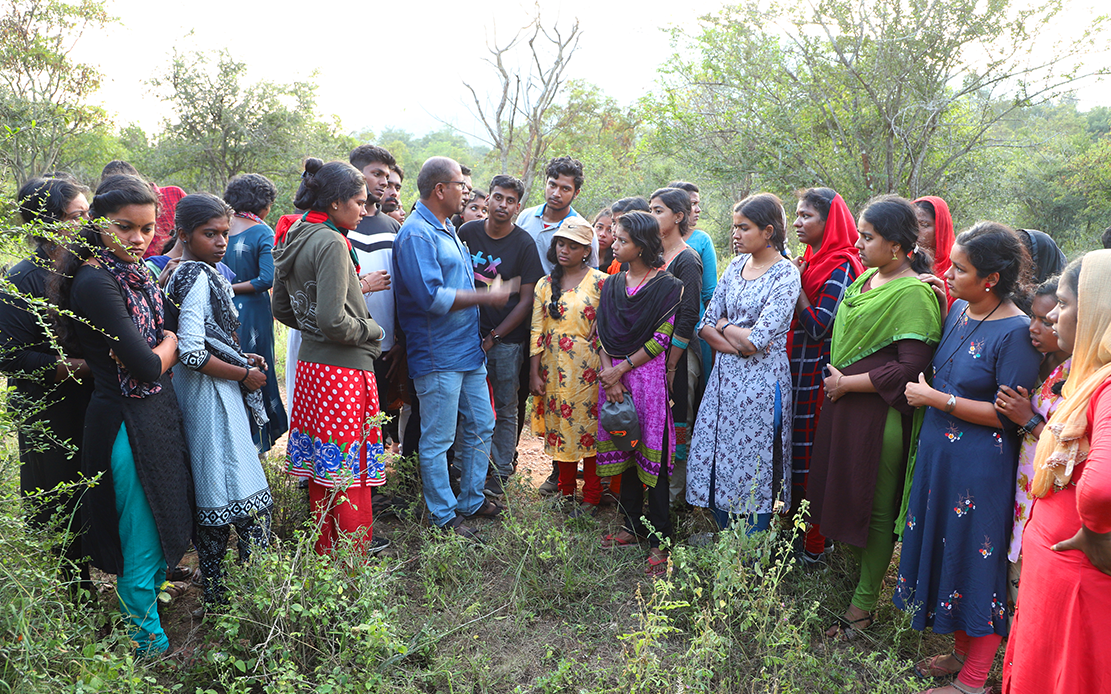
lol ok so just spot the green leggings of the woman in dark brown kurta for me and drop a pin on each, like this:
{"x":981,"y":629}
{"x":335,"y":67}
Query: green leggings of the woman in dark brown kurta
{"x":876,"y":557}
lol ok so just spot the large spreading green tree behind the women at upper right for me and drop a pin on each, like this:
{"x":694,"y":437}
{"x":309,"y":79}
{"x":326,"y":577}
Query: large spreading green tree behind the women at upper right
{"x":865,"y":96}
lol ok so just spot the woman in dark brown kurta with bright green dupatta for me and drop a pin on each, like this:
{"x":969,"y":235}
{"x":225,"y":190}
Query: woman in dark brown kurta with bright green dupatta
{"x":887,"y":327}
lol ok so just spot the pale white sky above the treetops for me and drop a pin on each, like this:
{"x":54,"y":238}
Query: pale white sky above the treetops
{"x":394,"y":65}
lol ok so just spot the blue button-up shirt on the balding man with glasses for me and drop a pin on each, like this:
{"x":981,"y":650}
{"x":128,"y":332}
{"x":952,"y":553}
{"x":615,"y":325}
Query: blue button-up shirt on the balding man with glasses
{"x":431,"y":266}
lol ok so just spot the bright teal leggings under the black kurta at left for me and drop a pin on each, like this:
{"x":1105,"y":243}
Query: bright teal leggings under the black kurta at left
{"x":144,"y":561}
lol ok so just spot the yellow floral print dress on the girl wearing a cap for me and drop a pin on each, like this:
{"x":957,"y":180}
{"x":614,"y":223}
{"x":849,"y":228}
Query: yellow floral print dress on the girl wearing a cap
{"x":569,"y":366}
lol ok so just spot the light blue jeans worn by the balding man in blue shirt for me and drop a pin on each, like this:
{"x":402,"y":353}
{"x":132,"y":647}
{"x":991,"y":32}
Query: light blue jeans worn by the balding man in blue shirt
{"x":447,"y":397}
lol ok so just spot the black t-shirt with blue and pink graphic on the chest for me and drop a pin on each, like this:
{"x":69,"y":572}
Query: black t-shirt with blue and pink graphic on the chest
{"x":513,"y":257}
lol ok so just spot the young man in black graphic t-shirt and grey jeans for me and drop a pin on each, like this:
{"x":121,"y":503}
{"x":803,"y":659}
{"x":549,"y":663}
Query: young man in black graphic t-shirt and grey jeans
{"x":504,"y":254}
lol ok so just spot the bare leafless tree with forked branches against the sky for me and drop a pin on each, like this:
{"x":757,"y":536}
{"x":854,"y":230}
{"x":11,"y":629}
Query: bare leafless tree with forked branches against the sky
{"x":517,"y":118}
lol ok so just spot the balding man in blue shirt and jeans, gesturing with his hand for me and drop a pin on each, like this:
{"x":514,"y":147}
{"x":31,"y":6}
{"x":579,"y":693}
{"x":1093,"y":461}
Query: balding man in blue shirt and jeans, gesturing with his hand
{"x":438,"y":313}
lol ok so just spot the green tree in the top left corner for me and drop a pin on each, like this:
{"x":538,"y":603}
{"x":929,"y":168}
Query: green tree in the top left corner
{"x":43,"y":89}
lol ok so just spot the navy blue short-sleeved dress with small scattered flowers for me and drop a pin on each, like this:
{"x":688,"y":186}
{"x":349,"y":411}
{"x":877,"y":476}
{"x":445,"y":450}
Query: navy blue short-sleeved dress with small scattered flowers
{"x":953,"y":571}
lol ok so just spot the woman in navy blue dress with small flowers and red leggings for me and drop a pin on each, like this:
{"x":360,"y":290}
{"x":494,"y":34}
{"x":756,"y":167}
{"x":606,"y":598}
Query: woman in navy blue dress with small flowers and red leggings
{"x":953,"y":574}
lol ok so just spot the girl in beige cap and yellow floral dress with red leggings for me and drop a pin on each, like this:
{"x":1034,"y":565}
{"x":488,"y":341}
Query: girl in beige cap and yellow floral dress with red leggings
{"x":565,"y":364}
